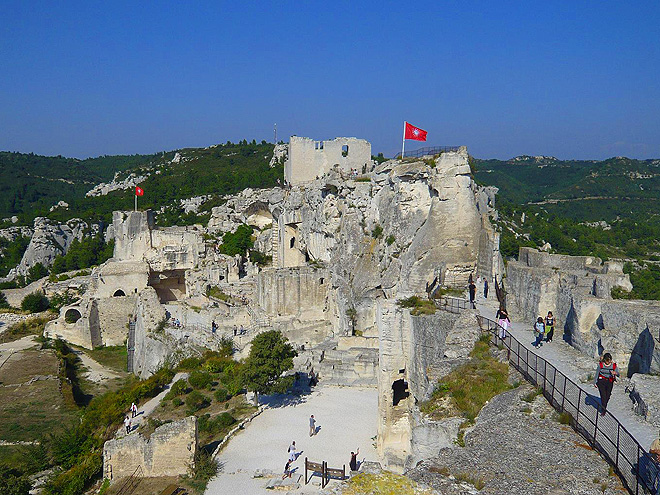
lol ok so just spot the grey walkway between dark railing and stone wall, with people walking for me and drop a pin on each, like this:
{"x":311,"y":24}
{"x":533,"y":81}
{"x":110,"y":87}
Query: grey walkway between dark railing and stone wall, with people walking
{"x":577,"y":367}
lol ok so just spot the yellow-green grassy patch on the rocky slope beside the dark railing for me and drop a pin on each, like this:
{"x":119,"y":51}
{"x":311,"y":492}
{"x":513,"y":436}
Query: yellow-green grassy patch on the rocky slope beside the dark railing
{"x":471,"y":385}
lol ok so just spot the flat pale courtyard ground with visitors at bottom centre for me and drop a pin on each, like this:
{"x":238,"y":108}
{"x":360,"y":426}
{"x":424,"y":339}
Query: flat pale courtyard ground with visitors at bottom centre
{"x":347,"y":417}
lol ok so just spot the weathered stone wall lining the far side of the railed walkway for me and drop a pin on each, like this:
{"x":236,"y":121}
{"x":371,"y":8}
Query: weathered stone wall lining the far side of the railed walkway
{"x":577,"y":291}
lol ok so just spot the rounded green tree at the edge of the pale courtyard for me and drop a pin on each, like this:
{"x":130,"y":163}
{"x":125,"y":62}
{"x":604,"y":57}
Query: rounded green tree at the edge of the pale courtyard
{"x":270,"y":356}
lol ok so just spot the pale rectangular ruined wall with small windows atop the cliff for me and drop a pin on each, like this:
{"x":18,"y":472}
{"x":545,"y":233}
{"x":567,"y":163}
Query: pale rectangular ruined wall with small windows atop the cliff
{"x":309,"y":159}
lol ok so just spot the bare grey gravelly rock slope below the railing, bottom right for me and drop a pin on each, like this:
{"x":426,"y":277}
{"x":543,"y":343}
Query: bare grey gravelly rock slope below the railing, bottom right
{"x":518,"y":448}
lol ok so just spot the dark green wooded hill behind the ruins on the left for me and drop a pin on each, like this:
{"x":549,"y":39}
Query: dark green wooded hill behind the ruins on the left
{"x":32,"y":184}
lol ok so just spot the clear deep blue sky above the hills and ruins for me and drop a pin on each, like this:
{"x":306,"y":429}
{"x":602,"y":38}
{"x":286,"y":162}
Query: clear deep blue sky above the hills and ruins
{"x":574,"y":79}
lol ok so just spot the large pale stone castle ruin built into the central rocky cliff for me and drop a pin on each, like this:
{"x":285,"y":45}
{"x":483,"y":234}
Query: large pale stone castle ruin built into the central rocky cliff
{"x":348,"y":238}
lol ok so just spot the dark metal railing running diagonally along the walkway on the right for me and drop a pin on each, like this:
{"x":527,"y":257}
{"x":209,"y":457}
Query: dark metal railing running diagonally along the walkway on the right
{"x":637,"y":469}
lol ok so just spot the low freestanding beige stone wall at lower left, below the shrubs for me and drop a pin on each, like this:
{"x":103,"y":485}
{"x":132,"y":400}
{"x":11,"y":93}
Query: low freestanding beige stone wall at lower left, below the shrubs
{"x":170,"y":451}
